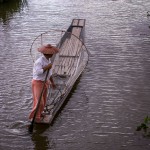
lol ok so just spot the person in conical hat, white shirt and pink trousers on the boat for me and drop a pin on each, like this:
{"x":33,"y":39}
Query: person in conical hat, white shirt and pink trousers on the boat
{"x":41,"y":66}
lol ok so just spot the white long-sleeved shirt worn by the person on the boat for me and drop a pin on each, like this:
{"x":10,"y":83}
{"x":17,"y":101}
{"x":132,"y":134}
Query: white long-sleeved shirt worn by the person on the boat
{"x":38,"y":72}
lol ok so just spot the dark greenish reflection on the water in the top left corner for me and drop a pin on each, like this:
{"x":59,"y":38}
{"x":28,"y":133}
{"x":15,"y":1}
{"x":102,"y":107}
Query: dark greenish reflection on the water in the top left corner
{"x":8,"y":8}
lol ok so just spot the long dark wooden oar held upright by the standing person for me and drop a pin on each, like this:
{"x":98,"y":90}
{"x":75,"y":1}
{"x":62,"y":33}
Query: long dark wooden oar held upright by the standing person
{"x":30,"y":129}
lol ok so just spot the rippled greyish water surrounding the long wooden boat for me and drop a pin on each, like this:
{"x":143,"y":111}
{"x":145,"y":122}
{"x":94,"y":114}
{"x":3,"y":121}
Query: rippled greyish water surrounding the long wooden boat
{"x":110,"y":98}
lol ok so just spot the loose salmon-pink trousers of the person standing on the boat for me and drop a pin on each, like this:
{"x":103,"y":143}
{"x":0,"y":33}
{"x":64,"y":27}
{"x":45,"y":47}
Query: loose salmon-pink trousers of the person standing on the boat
{"x":36,"y":92}
